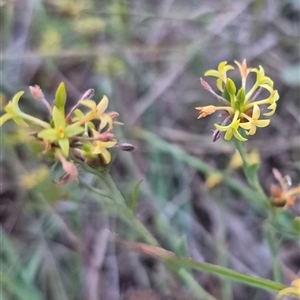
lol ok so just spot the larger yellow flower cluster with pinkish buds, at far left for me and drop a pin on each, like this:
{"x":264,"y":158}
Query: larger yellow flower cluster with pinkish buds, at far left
{"x":84,"y":132}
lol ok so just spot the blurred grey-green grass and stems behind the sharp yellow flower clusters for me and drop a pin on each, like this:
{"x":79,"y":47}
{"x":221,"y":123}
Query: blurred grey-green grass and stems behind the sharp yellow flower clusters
{"x":147,"y":57}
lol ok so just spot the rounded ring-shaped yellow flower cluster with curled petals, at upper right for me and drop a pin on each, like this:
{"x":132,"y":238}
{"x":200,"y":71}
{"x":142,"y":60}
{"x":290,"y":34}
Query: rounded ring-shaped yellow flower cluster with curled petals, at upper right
{"x":241,"y":108}
